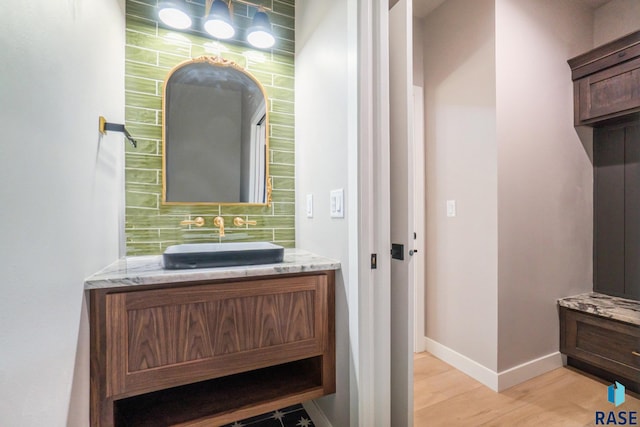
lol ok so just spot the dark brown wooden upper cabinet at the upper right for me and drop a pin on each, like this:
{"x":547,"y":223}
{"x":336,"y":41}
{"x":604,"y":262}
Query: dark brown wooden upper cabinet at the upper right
{"x":606,"y":82}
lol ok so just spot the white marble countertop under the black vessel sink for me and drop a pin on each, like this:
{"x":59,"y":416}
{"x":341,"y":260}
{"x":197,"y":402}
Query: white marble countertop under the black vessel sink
{"x":147,"y":270}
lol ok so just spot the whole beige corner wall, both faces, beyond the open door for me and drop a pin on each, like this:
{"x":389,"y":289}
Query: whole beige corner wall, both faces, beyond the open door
{"x":500,"y":140}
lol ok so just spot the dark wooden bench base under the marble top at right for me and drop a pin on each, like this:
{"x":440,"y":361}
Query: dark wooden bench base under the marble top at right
{"x":607,"y":347}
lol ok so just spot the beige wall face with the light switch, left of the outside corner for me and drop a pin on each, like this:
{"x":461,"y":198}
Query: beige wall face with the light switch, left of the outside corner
{"x":461,"y":164}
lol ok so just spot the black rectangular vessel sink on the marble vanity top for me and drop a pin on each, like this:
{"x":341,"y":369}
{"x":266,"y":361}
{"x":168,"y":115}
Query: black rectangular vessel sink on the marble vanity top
{"x":207,"y":255}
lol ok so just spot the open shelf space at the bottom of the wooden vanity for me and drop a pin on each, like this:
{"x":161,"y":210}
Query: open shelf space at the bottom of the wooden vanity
{"x":224,"y":400}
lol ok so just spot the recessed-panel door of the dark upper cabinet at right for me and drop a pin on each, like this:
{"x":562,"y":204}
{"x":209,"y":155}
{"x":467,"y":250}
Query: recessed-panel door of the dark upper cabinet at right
{"x":609,"y":93}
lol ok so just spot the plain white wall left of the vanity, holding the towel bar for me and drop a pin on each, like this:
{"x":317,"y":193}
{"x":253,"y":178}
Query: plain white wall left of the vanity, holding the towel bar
{"x":61,"y":190}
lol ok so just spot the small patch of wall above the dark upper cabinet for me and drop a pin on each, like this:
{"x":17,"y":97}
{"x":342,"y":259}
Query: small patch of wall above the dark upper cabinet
{"x":615,"y":19}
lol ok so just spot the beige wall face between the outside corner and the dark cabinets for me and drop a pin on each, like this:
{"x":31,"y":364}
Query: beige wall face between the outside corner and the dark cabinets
{"x":545,"y":180}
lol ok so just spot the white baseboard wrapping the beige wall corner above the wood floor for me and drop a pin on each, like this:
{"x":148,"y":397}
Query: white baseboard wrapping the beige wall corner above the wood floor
{"x":494,"y":380}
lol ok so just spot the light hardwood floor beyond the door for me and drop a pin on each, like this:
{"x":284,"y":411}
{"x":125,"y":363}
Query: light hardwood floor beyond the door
{"x":444,"y":396}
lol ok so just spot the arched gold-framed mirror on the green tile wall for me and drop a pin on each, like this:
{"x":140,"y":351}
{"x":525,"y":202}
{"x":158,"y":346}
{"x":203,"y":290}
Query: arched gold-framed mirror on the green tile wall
{"x":215,"y":140}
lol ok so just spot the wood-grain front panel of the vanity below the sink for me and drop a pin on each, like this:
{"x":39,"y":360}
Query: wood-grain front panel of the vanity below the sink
{"x":167,"y":337}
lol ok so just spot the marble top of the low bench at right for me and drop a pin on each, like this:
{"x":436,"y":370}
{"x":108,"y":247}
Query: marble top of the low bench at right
{"x":624,"y":310}
